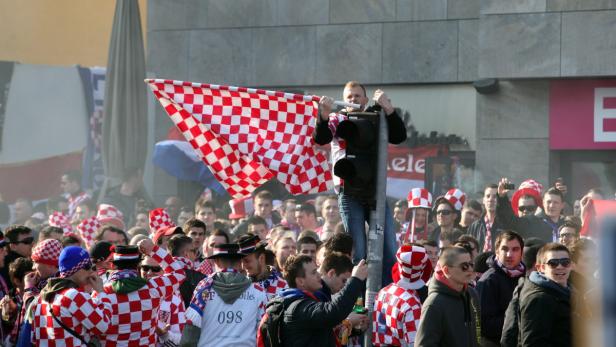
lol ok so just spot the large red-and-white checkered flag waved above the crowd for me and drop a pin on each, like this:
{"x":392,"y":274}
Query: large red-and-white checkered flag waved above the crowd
{"x":247,"y":136}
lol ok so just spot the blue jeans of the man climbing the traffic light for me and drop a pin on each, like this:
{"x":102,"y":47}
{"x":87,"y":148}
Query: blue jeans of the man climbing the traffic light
{"x":354,"y":216}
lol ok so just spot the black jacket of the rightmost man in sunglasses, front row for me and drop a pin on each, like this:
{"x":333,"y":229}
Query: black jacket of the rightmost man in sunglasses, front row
{"x":545,"y":313}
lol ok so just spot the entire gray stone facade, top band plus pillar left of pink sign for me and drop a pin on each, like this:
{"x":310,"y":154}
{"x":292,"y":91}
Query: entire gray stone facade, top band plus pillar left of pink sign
{"x":272,"y":43}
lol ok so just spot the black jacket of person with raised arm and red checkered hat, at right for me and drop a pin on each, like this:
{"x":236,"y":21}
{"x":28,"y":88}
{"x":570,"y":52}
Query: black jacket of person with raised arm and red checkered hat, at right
{"x":529,"y":226}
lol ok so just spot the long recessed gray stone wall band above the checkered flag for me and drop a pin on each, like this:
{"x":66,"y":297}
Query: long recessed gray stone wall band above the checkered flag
{"x":318,"y":42}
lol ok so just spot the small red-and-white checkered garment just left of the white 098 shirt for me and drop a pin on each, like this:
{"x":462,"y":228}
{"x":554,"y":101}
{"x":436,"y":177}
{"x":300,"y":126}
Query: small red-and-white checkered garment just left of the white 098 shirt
{"x":171,"y":312}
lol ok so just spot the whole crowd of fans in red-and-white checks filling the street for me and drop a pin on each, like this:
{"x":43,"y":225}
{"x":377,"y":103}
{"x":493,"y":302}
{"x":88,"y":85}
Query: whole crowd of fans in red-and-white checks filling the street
{"x":511,"y":269}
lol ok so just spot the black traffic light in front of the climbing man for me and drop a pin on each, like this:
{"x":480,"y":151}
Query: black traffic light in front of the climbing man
{"x":358,"y":168}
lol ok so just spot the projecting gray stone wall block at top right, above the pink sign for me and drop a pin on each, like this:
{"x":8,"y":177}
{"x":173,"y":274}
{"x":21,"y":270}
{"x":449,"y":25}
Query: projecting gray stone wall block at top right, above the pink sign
{"x":547,"y":38}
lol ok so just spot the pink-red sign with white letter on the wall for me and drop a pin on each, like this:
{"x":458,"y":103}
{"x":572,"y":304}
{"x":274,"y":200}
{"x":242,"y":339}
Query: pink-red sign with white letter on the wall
{"x":583,"y":114}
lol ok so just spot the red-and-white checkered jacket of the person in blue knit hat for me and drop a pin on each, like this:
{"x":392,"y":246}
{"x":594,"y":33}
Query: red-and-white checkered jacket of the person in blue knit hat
{"x":75,"y":308}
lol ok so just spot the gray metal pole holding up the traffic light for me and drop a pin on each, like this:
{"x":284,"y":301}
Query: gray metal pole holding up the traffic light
{"x":377,"y":228}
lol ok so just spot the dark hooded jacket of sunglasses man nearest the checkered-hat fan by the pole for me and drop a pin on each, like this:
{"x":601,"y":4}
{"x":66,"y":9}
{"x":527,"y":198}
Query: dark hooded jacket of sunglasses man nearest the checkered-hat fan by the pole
{"x":448,"y":318}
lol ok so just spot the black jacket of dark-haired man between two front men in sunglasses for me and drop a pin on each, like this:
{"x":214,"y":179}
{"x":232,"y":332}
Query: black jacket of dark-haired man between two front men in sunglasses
{"x":495,"y":289}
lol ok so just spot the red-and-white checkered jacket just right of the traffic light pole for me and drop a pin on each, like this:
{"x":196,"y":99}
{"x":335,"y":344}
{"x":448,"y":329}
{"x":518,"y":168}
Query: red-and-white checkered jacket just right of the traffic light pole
{"x":396,"y":316}
